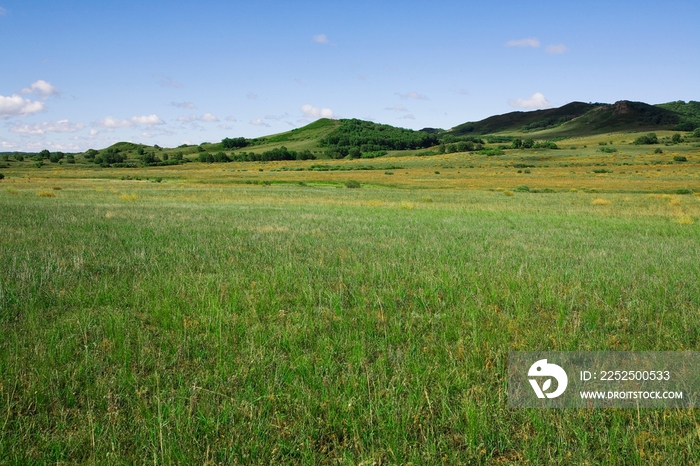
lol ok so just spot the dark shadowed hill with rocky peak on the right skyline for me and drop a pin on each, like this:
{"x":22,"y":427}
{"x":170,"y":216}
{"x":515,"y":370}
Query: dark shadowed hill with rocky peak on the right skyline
{"x":580,"y":119}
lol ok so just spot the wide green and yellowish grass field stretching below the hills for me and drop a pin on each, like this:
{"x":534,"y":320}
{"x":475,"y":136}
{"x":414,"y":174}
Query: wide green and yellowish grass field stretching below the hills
{"x":256,"y":313}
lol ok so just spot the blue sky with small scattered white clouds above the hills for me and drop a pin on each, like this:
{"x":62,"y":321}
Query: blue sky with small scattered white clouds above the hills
{"x":78,"y":75}
